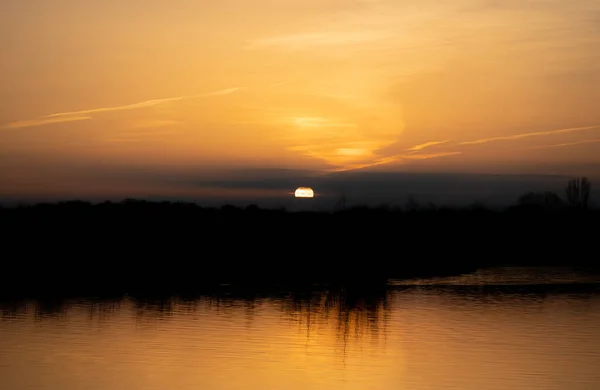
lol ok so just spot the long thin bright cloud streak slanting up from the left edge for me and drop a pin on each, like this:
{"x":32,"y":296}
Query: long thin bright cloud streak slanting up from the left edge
{"x":84,"y":114}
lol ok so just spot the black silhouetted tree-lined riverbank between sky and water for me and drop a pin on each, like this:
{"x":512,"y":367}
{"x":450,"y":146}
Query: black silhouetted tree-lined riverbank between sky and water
{"x":137,"y":246}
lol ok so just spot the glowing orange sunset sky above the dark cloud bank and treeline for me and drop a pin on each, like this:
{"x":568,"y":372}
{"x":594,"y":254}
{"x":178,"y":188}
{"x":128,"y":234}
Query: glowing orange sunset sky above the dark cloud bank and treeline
{"x":108,"y":98}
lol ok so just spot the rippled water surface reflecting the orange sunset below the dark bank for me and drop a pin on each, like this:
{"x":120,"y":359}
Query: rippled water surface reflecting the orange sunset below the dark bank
{"x":418,"y":336}
